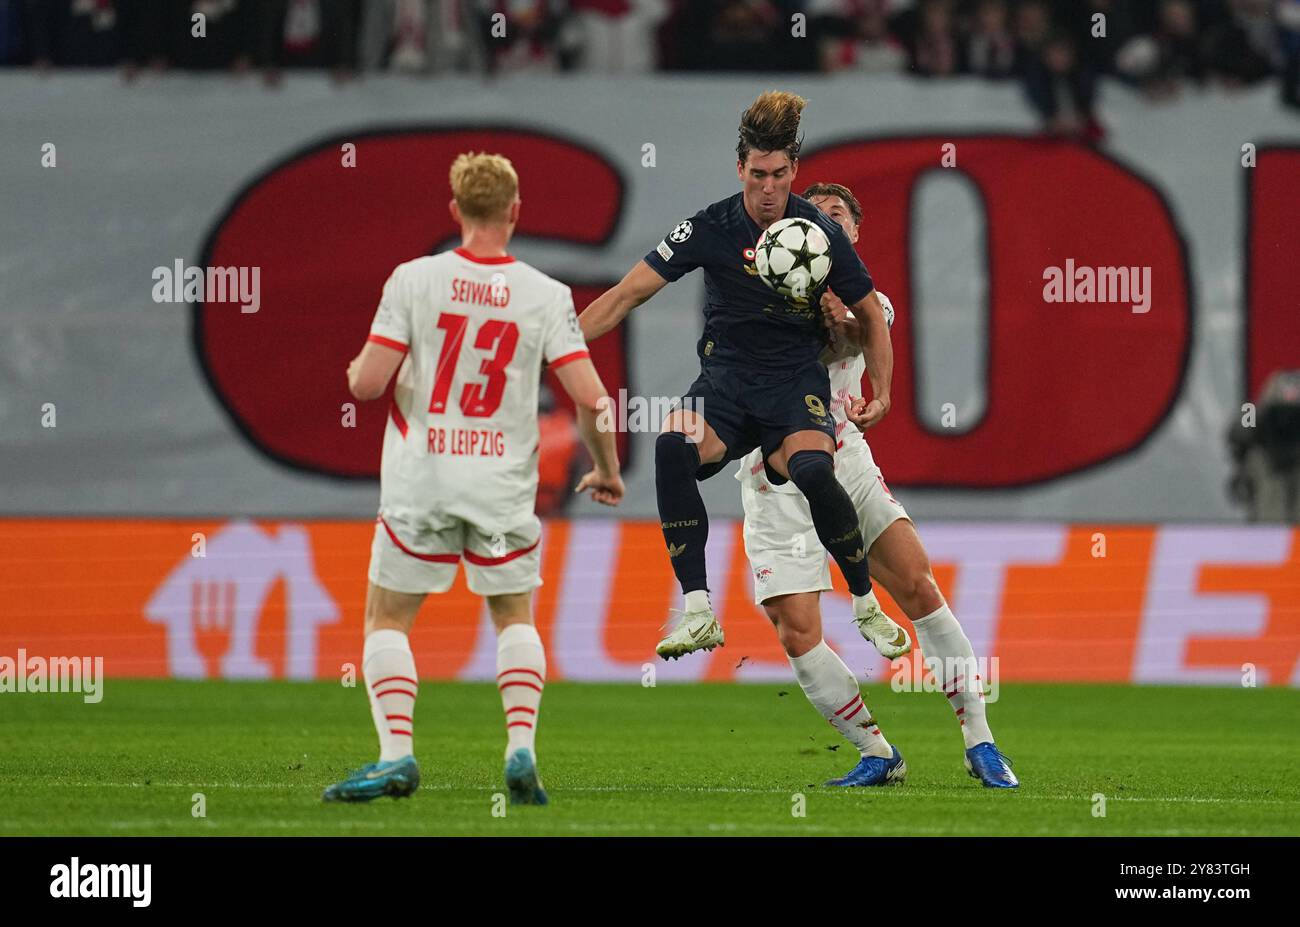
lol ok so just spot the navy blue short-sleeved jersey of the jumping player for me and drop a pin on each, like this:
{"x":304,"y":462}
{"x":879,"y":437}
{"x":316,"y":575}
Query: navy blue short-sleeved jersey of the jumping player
{"x":746,"y":322}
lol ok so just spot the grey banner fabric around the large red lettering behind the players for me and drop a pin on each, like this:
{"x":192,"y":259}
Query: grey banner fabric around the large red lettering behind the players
{"x":145,"y":172}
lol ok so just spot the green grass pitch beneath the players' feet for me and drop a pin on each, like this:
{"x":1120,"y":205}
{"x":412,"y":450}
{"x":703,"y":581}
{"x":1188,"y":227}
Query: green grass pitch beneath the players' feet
{"x":621,"y":760}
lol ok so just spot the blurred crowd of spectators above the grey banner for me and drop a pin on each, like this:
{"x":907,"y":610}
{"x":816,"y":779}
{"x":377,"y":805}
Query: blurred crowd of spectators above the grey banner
{"x":1056,"y":49}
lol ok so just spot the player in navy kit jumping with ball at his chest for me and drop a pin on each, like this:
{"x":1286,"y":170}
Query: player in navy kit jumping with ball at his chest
{"x":761,"y":383}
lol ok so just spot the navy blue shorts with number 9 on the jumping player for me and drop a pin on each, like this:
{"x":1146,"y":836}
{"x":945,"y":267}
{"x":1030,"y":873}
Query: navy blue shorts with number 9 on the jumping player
{"x":757,"y":409}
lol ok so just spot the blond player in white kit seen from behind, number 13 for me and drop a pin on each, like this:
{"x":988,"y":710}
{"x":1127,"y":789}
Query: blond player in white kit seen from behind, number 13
{"x":467,"y":332}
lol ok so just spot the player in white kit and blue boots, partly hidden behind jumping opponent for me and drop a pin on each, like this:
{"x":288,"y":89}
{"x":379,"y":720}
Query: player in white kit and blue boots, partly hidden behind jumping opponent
{"x":791,"y":569}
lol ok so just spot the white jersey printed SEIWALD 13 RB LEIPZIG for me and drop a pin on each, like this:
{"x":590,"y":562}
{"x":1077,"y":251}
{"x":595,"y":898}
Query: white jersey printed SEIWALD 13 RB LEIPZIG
{"x":462,"y":436}
